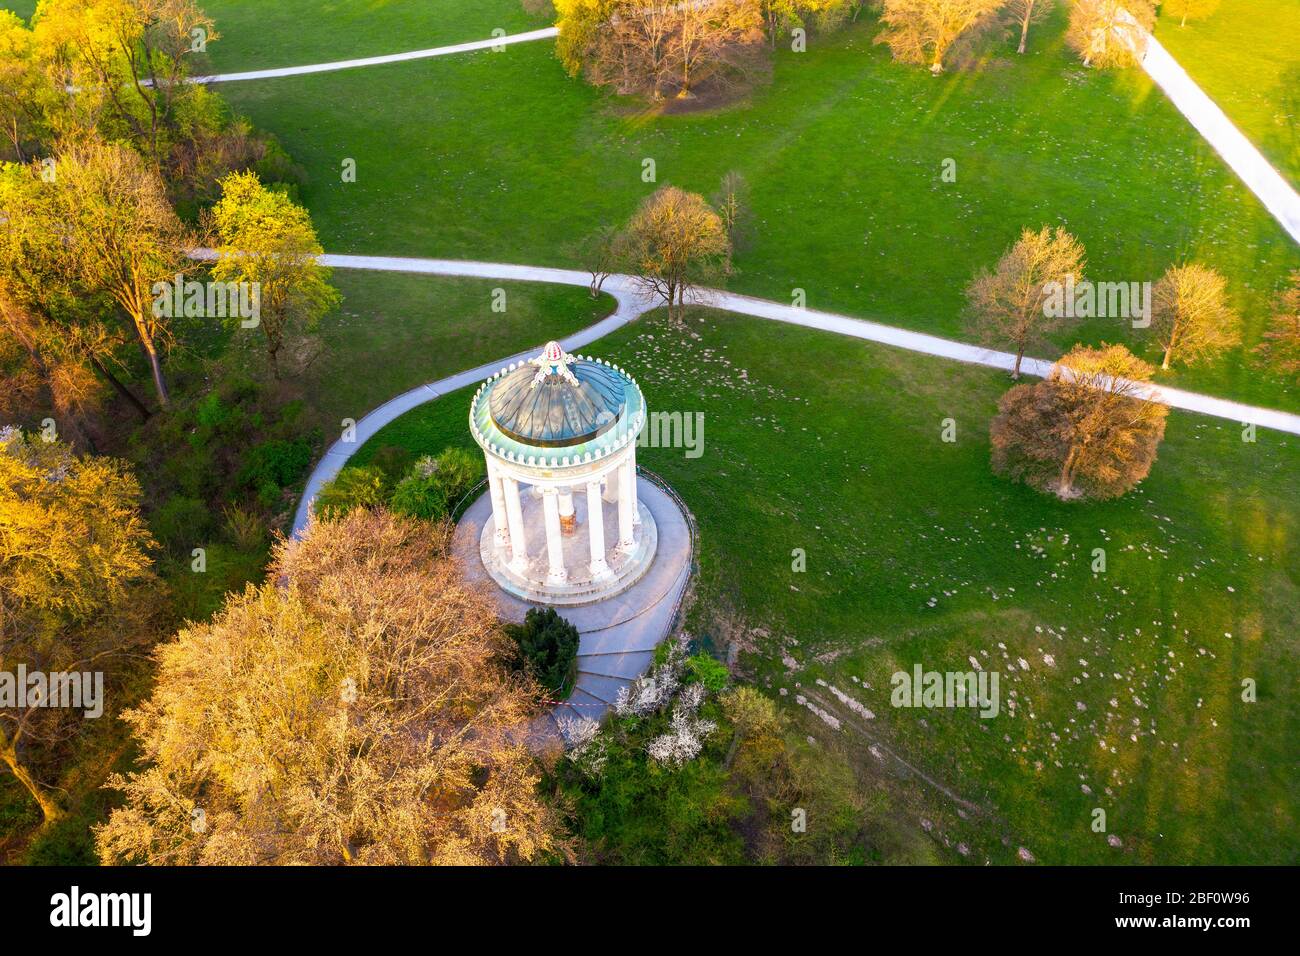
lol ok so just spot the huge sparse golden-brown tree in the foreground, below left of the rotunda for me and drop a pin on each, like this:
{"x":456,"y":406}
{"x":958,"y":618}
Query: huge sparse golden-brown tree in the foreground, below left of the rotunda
{"x":359,"y":713}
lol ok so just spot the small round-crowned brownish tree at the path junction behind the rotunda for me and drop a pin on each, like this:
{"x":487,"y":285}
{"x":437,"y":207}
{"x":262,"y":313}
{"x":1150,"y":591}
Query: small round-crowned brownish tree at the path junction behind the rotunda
{"x":674,"y":243}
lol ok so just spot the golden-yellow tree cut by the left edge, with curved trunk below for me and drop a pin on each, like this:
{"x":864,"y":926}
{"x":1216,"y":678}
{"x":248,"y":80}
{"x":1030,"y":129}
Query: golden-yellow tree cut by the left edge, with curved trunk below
{"x":76,"y":589}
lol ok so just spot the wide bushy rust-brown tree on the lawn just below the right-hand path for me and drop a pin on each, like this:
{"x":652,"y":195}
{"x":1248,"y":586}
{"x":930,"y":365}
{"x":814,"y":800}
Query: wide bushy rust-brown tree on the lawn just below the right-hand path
{"x":1089,"y":431}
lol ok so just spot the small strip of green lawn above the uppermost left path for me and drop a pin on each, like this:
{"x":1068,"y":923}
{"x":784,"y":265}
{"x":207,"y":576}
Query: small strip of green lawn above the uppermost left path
{"x":257,"y":34}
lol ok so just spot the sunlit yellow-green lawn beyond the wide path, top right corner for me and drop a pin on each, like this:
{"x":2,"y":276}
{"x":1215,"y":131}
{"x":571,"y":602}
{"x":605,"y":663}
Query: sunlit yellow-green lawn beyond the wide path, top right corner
{"x":1247,"y":58}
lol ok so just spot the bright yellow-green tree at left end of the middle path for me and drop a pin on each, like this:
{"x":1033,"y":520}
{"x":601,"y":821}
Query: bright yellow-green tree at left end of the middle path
{"x":268,"y":243}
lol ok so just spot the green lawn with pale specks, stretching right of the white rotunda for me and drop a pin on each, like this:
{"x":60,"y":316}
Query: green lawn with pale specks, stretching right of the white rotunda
{"x":1130,"y":694}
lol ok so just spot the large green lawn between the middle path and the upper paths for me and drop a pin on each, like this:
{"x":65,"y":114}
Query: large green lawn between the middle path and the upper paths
{"x":502,"y":157}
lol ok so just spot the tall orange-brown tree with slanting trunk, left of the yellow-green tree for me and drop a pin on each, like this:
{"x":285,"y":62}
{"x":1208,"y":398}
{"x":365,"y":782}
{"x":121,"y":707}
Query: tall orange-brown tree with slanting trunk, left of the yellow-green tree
{"x":123,"y":237}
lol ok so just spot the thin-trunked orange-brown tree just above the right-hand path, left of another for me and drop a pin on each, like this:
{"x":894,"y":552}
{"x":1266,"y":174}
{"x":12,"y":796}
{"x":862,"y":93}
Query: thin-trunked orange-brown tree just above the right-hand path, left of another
{"x":1007,"y":306}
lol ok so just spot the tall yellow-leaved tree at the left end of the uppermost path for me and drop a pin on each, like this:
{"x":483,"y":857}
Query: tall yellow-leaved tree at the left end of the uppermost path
{"x":123,"y":67}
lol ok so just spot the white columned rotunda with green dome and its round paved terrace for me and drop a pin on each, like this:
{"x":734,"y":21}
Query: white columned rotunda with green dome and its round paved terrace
{"x":569,"y":522}
